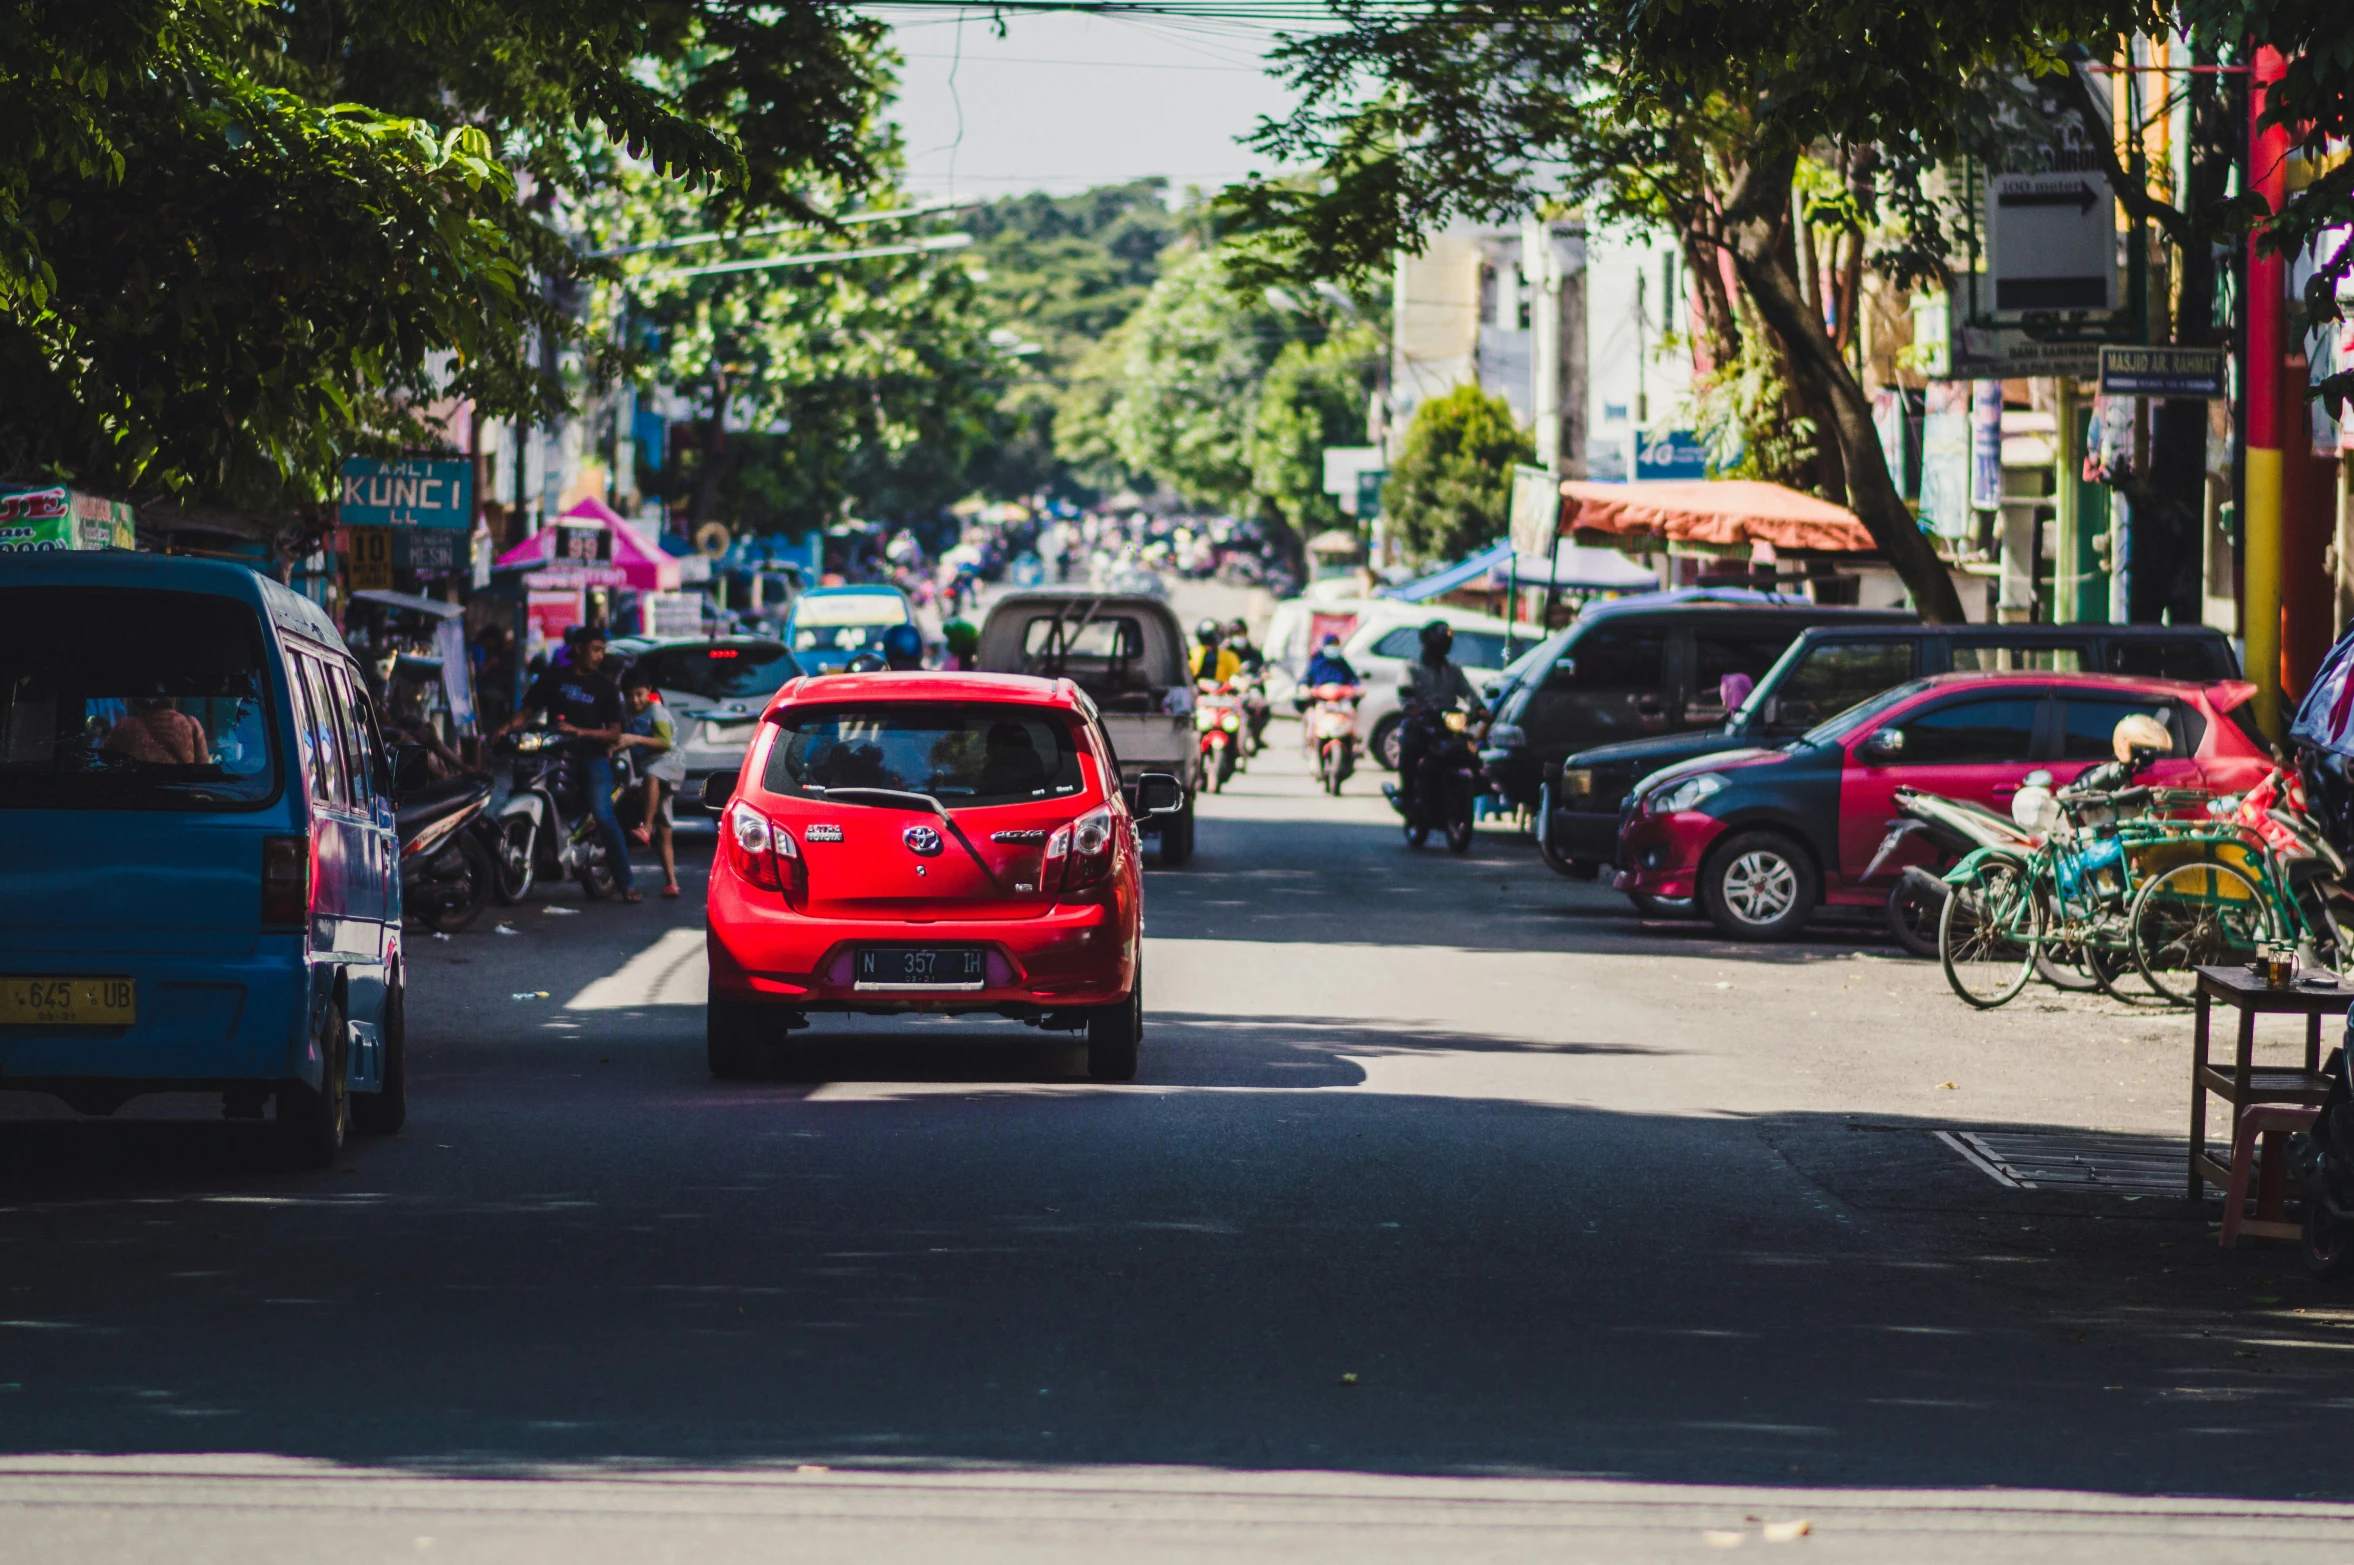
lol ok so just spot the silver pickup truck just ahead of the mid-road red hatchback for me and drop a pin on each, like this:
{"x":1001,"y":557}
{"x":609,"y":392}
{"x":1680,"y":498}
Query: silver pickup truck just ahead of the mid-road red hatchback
{"x":1129,"y":655}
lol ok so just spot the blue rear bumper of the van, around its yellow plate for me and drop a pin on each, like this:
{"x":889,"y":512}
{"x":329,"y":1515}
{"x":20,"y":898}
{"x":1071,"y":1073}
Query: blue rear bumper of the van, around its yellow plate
{"x":201,"y":1020}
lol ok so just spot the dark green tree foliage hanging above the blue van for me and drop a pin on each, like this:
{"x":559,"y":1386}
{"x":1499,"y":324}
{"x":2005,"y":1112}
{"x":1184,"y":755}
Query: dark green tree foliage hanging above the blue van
{"x":241,"y":241}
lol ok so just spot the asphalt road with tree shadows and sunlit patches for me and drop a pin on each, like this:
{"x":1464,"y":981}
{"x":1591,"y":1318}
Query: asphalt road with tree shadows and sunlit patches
{"x":1456,"y":1213}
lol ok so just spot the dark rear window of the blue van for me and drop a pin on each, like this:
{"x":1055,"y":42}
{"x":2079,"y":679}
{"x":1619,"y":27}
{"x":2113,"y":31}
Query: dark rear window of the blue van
{"x":128,"y":700}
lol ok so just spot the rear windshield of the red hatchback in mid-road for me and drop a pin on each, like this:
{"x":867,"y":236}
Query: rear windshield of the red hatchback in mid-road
{"x":962,"y":754}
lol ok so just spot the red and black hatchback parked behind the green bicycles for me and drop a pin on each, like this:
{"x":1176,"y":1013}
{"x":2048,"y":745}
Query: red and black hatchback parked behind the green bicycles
{"x":1762,"y":839}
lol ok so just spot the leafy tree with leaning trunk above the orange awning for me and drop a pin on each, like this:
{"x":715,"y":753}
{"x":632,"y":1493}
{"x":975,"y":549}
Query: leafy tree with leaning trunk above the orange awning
{"x":1696,"y":114}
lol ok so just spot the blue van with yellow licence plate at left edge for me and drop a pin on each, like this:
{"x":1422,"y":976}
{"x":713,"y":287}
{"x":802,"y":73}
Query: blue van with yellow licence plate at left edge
{"x":199,"y":865}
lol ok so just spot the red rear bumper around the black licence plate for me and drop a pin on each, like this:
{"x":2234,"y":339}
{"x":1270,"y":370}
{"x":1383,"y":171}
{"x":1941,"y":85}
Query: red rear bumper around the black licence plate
{"x":1077,"y":954}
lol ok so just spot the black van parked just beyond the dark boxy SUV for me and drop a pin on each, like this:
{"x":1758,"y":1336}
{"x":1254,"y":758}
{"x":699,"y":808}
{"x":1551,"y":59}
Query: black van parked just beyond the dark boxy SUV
{"x":1642,"y":667}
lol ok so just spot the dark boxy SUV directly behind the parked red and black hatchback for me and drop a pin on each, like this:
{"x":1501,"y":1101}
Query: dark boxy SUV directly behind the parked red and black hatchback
{"x":1828,"y":672}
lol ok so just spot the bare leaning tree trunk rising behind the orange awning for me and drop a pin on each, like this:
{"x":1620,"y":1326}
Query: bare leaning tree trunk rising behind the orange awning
{"x":1757,"y":218}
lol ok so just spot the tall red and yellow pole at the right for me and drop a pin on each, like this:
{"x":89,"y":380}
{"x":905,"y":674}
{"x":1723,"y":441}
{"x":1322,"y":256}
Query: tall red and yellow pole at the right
{"x":2261,"y":481}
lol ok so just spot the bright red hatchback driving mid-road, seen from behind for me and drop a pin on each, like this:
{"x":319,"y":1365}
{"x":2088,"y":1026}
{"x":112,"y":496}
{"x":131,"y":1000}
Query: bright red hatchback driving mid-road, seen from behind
{"x":929,"y":844}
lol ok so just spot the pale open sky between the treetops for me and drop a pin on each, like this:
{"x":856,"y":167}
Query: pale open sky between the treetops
{"x":1068,"y":102}
